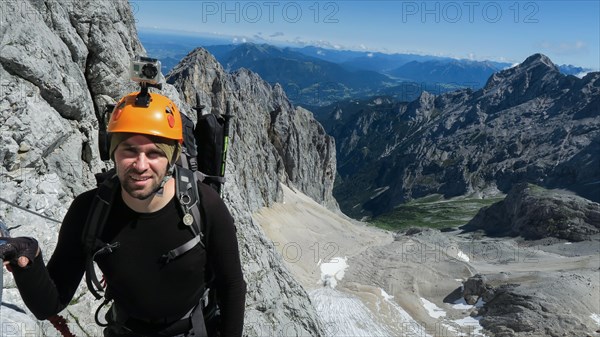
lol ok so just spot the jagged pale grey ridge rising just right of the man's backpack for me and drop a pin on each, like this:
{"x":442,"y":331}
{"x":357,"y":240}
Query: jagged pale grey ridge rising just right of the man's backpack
{"x":271,"y":143}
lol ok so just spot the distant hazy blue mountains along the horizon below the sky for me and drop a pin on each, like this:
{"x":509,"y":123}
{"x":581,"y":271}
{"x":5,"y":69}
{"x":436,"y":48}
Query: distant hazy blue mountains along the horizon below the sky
{"x":314,"y":77}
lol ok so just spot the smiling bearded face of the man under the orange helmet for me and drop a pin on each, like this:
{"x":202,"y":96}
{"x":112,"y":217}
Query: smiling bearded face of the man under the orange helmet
{"x":141,"y":166}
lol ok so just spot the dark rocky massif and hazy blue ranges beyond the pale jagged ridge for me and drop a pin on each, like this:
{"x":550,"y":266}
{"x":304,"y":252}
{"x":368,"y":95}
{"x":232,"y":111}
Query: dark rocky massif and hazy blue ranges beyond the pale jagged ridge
{"x":391,"y":115}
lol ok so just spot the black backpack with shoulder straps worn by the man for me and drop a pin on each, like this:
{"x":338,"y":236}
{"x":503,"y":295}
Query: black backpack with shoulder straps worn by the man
{"x":203,"y":158}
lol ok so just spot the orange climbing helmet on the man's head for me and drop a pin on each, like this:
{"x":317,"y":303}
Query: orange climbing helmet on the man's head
{"x":156,"y":116}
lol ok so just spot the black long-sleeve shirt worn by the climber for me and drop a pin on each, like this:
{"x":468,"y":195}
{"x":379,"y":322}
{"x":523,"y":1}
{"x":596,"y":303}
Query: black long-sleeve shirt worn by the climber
{"x":137,"y":277}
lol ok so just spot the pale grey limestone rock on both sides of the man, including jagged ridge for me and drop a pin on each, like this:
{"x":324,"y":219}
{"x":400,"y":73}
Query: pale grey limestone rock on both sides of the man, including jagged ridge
{"x":62,"y":62}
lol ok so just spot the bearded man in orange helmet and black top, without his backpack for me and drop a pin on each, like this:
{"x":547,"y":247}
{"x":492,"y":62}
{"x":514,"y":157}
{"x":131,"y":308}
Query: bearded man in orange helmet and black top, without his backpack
{"x":152,"y":297}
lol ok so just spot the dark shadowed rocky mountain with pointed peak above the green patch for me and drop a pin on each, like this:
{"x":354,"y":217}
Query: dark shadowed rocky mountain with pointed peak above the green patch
{"x":530,"y":123}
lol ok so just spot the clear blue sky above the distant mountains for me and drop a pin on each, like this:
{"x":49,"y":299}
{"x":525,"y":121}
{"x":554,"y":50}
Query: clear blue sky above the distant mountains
{"x":510,"y":31}
